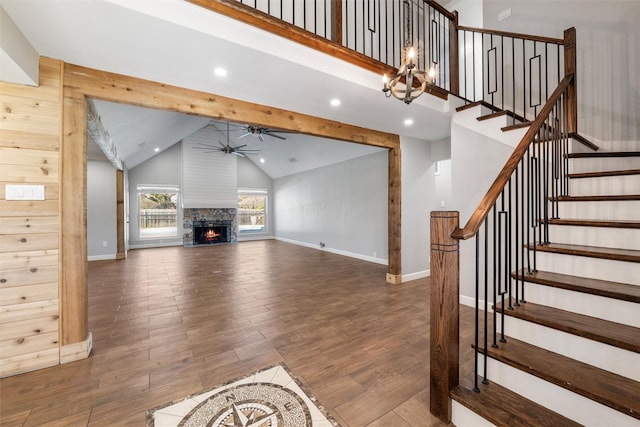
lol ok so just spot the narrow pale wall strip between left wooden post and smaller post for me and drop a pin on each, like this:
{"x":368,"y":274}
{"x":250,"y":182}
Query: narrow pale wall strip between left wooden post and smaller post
{"x":101,"y":210}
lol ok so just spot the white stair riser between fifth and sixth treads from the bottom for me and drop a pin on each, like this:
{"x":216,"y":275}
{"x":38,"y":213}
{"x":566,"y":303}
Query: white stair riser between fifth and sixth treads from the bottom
{"x":621,"y":238}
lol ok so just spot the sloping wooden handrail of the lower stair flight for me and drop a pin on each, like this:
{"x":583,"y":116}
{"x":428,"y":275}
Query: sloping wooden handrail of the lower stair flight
{"x":485,"y":205}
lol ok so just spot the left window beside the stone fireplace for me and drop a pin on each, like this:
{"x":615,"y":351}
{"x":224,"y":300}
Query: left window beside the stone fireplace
{"x":157,"y":212}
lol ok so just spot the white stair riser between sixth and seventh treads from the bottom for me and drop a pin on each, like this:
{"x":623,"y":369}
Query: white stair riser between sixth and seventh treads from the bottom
{"x":620,"y":210}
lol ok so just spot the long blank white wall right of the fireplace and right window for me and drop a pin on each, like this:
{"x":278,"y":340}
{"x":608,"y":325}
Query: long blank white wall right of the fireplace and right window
{"x":344,"y":205}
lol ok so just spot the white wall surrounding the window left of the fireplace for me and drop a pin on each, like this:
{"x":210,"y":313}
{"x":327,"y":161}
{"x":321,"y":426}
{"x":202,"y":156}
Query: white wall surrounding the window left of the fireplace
{"x":163,"y":169}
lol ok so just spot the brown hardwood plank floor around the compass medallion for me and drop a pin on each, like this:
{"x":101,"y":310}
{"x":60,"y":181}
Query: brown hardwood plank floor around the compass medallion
{"x":170,"y":322}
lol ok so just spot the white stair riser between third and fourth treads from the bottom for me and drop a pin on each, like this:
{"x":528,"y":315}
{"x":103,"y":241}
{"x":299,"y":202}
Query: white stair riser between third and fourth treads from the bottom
{"x":613,"y":310}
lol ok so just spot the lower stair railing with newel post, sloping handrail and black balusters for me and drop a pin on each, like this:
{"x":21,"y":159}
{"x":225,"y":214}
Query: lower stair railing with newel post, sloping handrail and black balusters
{"x":509,"y":223}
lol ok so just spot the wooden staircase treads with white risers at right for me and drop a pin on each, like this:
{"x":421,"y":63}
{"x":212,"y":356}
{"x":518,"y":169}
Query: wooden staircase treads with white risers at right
{"x":571,"y":354}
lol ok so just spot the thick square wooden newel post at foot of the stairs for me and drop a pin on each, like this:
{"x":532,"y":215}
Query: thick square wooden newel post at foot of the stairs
{"x":445,"y":284}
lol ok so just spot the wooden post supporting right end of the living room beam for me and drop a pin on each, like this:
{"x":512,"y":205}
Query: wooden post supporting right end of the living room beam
{"x":394,"y":272}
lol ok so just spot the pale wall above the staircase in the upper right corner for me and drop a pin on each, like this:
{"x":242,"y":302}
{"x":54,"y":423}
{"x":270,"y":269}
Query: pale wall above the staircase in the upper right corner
{"x":608,"y":56}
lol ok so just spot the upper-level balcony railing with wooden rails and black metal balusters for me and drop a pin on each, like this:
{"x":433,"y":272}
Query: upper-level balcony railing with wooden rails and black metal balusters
{"x":508,"y":71}
